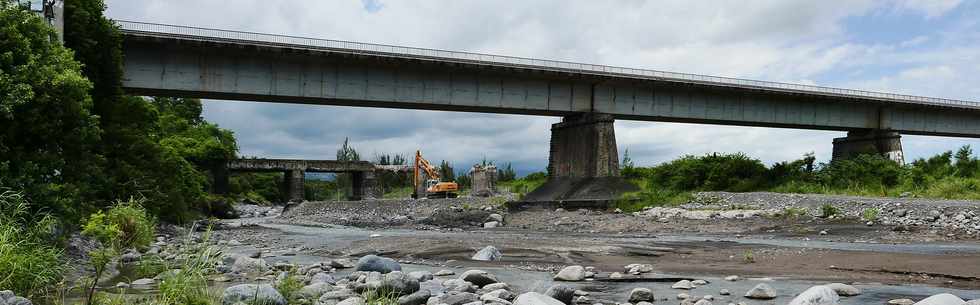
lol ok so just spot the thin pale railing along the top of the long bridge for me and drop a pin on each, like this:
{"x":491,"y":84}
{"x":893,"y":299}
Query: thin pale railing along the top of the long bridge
{"x":206,"y":34}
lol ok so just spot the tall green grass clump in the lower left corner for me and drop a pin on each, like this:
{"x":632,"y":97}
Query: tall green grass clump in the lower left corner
{"x":29,"y":262}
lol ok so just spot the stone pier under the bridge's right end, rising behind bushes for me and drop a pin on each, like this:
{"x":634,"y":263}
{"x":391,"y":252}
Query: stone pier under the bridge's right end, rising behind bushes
{"x":884,"y":142}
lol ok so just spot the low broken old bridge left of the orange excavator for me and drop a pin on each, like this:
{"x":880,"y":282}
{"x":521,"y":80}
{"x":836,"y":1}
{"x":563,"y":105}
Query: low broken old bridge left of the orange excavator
{"x":294,"y":173}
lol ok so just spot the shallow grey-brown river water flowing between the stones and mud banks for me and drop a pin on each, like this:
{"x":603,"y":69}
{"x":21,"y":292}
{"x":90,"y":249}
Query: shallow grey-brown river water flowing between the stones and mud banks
{"x":339,"y":237}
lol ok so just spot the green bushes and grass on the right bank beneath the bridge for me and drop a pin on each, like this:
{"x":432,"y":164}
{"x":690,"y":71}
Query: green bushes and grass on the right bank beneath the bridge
{"x":945,"y":176}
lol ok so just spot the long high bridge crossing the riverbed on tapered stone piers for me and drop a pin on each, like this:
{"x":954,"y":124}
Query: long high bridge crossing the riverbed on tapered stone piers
{"x":182,"y":61}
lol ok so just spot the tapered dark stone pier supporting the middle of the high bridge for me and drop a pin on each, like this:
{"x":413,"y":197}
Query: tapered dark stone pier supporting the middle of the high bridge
{"x":583,"y":146}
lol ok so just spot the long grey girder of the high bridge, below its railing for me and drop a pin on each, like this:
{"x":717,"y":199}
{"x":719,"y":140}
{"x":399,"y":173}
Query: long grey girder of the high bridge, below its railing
{"x":215,"y":70}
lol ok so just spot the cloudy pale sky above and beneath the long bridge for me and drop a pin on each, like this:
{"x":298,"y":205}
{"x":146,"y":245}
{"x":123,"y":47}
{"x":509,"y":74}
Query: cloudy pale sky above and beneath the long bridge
{"x":921,"y":47}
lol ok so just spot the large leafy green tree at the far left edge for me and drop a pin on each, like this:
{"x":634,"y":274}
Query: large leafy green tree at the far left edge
{"x":46,"y":141}
